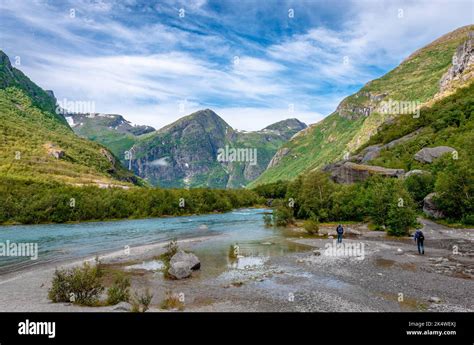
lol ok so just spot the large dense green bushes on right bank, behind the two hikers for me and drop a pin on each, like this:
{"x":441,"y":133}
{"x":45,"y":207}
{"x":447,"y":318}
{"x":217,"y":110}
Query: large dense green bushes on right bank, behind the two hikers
{"x":385,"y":202}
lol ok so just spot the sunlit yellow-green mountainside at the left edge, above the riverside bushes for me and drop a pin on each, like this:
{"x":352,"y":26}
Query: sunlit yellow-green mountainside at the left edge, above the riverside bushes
{"x":36,"y":143}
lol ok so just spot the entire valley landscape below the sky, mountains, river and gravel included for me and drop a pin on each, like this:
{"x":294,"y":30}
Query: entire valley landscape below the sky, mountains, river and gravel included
{"x":94,"y":185}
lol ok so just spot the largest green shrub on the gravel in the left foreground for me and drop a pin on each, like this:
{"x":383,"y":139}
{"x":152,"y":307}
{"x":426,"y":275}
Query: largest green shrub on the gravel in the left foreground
{"x":80,"y":285}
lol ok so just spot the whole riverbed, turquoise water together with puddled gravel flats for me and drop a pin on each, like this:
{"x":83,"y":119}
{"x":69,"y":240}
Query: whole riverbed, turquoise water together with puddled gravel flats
{"x":278,"y":269}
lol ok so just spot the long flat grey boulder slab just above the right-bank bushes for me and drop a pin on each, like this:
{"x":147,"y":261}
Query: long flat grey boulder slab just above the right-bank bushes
{"x":349,"y":172}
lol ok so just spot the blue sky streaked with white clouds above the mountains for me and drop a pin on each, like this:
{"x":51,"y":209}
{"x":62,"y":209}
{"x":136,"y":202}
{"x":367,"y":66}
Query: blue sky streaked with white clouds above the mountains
{"x":253,"y":62}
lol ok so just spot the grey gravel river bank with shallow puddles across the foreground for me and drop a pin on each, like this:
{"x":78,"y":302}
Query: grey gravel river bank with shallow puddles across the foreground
{"x":287,"y":273}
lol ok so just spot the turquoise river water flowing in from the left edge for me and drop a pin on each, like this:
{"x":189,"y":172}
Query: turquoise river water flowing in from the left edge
{"x":58,"y":242}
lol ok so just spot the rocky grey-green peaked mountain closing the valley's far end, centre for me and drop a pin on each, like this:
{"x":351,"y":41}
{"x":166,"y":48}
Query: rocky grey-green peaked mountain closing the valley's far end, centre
{"x":185,"y":153}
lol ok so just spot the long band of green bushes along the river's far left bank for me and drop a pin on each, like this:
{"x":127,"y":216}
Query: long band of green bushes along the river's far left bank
{"x":33,"y":202}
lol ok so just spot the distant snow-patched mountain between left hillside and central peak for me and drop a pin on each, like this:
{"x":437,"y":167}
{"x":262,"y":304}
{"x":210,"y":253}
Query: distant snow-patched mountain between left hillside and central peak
{"x":110,"y":130}
